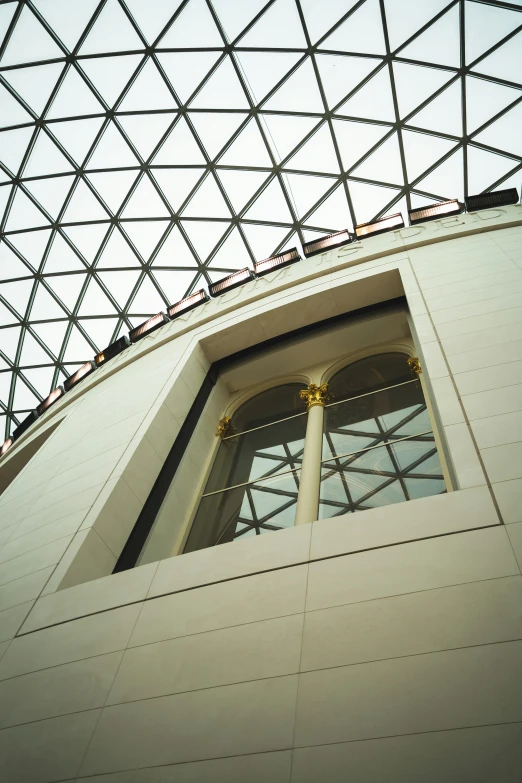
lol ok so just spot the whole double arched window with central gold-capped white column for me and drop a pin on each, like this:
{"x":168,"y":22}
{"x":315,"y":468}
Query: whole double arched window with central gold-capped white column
{"x":295,"y":453}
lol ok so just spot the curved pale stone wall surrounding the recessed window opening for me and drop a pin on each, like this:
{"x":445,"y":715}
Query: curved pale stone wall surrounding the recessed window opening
{"x":382,"y":646}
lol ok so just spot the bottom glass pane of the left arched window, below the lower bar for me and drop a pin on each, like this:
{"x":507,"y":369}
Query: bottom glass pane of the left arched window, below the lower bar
{"x":250,"y":510}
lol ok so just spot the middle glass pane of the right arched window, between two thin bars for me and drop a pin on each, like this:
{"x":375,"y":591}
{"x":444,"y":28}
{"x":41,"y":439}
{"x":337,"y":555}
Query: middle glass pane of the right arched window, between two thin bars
{"x":374,"y":418}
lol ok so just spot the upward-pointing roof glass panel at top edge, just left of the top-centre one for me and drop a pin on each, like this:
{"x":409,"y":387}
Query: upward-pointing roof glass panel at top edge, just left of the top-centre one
{"x":194,"y":27}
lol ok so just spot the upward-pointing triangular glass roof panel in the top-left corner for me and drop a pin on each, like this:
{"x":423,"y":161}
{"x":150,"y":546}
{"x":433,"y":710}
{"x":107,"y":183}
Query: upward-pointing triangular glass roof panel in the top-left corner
{"x":29,"y":42}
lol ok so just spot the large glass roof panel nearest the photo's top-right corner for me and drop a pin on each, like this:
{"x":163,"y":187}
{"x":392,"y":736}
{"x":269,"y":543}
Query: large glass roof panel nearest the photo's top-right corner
{"x":485,"y":26}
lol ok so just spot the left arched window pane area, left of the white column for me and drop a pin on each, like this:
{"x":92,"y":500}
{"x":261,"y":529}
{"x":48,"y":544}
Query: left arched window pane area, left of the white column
{"x":254,"y":481}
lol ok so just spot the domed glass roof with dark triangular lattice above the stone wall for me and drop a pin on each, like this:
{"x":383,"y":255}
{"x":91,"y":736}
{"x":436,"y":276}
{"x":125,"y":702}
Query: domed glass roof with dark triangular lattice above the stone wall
{"x":148,"y":147}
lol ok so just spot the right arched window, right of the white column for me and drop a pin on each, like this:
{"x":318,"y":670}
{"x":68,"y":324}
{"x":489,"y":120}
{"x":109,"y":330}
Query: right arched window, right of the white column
{"x":378,"y":443}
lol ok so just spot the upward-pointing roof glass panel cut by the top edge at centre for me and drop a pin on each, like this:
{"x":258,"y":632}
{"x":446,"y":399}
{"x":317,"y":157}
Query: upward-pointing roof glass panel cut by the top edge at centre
{"x":279,"y":27}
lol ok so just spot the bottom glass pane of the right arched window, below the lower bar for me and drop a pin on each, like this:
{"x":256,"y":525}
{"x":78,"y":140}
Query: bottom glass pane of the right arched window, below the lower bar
{"x":394,"y":473}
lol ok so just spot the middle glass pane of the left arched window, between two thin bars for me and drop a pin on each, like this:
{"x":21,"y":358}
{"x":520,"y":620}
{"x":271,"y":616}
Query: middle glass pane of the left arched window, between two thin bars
{"x":259,"y":453}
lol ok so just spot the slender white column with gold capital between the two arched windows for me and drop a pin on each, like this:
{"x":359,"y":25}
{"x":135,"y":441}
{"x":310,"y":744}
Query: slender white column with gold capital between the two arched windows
{"x":310,"y":480}
